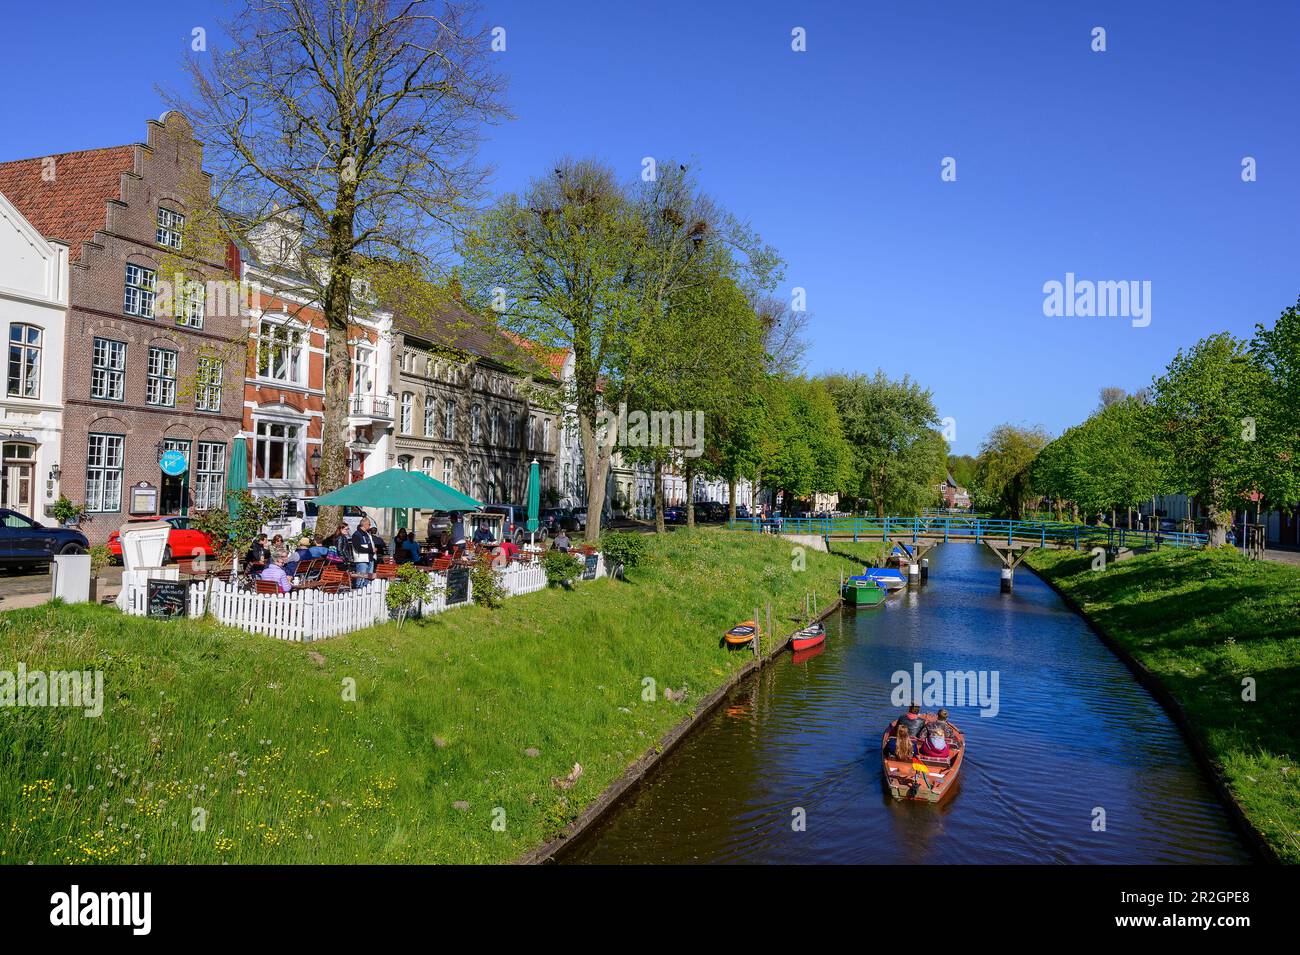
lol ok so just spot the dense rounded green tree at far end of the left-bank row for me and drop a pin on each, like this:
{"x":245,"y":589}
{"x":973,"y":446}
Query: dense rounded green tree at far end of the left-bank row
{"x":898,"y":461}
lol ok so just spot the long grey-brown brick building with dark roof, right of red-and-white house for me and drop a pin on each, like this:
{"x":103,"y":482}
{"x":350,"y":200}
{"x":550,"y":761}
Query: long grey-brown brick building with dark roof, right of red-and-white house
{"x":466,"y":413}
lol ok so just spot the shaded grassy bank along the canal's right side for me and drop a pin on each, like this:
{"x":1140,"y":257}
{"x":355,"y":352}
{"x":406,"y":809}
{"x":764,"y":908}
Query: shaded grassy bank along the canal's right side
{"x":1203,"y":623}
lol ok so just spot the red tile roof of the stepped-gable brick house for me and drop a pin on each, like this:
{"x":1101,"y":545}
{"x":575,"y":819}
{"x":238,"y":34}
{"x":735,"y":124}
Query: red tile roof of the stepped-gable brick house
{"x":73,"y":207}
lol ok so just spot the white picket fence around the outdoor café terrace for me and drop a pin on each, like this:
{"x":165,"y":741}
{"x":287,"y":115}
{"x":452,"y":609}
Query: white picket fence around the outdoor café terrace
{"x":313,"y":615}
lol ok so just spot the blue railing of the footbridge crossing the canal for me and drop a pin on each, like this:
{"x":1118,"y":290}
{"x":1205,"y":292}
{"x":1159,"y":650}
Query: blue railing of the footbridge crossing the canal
{"x":978,"y":529}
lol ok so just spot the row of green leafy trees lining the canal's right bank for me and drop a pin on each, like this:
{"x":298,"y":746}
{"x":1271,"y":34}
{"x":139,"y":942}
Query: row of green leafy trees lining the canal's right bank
{"x":1221,"y":426}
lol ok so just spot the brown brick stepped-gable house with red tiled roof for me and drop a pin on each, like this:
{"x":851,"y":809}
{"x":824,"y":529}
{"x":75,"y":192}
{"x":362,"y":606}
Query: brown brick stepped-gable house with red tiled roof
{"x":141,"y":377}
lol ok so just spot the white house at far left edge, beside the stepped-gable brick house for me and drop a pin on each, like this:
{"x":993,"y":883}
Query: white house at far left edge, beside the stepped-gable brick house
{"x":33,"y":312}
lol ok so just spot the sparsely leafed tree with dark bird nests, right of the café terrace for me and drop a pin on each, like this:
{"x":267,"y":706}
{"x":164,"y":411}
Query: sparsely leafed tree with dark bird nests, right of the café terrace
{"x":583,"y":263}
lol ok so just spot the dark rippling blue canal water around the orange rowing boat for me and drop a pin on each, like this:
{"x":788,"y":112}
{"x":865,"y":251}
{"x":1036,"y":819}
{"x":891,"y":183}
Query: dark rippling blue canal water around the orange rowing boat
{"x":799,"y":743}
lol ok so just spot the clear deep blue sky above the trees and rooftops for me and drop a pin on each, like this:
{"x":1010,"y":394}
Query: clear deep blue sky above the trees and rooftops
{"x":1117,"y":166}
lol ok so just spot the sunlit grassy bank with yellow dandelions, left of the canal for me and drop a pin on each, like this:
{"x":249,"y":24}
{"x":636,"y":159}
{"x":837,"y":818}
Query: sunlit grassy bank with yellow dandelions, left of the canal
{"x":450,"y":753}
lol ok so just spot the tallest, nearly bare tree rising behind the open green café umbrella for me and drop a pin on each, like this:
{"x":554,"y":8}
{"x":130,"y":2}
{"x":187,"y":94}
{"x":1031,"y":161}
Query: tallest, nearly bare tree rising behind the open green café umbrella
{"x":353,"y":125}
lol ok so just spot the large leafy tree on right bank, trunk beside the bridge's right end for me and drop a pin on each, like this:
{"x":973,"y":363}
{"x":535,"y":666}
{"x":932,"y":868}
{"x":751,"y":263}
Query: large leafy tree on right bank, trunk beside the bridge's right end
{"x":1207,"y":410}
